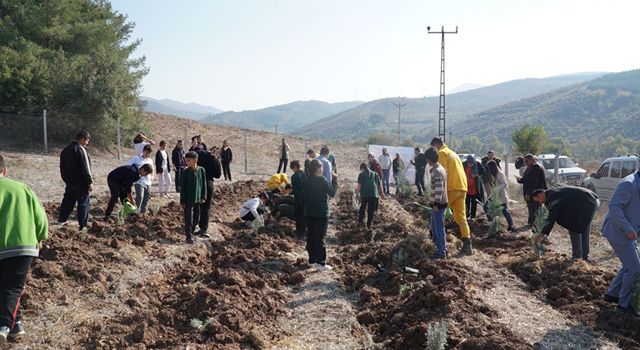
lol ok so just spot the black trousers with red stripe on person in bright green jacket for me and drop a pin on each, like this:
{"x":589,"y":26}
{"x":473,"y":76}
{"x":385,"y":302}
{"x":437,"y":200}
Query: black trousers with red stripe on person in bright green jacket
{"x":13,"y":274}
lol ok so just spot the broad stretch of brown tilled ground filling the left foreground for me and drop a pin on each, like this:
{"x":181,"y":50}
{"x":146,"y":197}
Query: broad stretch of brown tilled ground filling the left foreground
{"x":138,"y":286}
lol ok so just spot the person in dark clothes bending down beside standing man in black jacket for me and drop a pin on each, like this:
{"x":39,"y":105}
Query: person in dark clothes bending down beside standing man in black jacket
{"x":120,"y":181}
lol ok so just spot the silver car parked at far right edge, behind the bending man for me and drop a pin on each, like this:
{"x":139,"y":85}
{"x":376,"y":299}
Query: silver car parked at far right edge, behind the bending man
{"x":604,"y":181}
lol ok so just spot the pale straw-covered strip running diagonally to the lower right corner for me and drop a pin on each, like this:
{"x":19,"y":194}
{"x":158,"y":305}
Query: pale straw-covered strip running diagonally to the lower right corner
{"x":523,"y":313}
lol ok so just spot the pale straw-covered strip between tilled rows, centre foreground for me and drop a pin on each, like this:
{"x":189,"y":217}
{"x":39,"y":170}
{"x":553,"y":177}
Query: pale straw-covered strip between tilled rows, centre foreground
{"x":320,"y":313}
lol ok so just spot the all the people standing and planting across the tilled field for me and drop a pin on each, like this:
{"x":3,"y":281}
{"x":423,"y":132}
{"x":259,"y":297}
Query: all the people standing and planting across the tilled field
{"x":306,"y":199}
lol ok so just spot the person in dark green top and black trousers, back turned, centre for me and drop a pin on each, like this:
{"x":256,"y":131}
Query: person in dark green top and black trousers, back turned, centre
{"x":317,"y":193}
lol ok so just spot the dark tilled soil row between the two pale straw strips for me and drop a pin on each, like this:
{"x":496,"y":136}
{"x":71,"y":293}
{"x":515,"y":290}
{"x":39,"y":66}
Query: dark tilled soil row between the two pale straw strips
{"x":399,"y":307}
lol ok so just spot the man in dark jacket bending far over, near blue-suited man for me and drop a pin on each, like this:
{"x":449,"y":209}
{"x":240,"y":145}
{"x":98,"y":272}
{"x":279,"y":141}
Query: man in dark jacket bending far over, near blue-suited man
{"x":572,"y":208}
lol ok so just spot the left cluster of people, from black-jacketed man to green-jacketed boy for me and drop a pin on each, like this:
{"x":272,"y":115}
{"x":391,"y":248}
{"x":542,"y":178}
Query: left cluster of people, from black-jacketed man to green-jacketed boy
{"x":194,"y":170}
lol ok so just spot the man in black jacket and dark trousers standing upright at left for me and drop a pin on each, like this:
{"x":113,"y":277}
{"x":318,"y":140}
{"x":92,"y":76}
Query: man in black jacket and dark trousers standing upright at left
{"x":75,"y":169}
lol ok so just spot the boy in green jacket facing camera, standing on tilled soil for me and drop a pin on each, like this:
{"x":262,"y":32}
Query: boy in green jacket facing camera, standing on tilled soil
{"x":193,"y":192}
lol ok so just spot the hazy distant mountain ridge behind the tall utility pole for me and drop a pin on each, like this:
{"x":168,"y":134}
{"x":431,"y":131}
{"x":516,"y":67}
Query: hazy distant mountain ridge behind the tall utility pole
{"x":419,"y":116}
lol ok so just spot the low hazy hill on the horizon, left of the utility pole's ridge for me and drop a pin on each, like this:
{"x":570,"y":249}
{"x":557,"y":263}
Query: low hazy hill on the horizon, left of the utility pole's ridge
{"x":289,"y":116}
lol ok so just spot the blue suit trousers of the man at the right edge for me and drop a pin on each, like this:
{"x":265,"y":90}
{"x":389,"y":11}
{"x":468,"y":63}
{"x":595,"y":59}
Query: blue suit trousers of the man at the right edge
{"x":622,"y":284}
